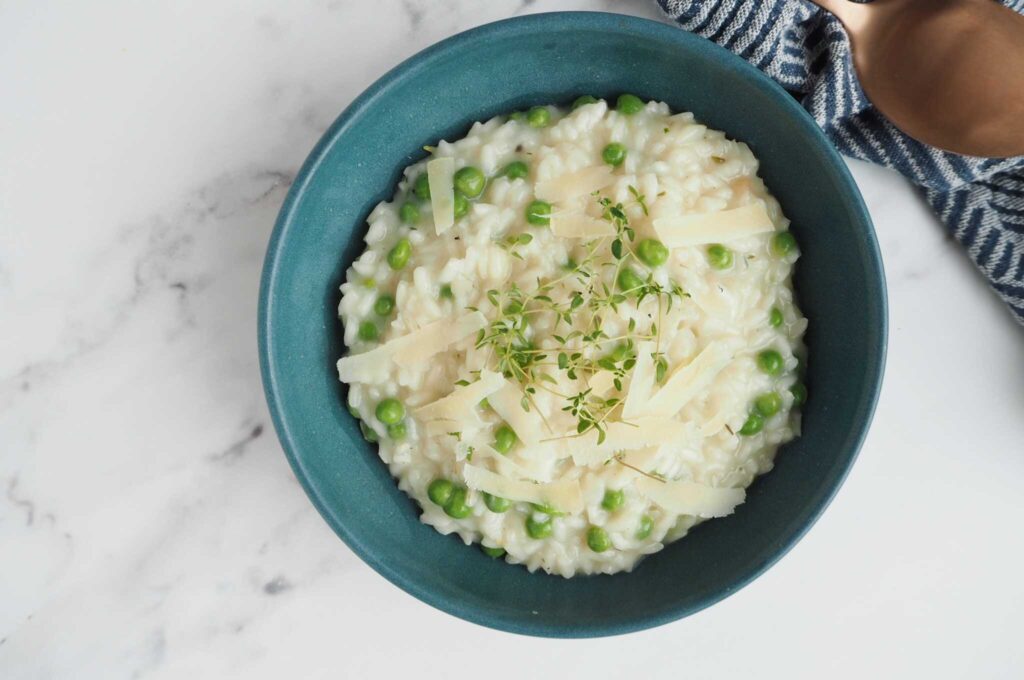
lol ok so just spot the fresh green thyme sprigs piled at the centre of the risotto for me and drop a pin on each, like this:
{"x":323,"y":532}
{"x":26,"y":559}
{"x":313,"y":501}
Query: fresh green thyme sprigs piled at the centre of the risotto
{"x":580,"y":299}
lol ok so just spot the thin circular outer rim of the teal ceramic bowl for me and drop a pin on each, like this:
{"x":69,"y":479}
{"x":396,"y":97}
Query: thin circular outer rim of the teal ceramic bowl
{"x":357,"y":109}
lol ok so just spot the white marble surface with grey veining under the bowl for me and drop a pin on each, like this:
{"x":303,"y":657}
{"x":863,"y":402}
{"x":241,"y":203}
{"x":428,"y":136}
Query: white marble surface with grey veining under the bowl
{"x":150,"y":526}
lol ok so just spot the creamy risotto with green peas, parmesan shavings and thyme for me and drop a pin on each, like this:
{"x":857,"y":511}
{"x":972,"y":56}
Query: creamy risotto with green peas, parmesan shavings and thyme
{"x":573,"y":333}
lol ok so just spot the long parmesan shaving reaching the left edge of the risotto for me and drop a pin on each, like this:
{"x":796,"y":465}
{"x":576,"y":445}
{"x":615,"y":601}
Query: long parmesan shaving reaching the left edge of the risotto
{"x":373,"y":366}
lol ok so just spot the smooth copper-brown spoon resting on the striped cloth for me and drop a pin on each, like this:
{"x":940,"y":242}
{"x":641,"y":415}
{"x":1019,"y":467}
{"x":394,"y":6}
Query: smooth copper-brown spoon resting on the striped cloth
{"x":949,"y":73}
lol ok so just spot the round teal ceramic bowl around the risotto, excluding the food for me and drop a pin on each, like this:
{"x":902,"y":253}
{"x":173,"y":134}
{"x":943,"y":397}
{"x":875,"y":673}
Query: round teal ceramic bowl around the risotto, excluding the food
{"x":438,"y":95}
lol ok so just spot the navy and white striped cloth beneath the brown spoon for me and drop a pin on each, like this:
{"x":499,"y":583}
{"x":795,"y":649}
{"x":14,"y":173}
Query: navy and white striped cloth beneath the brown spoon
{"x":805,"y":50}
